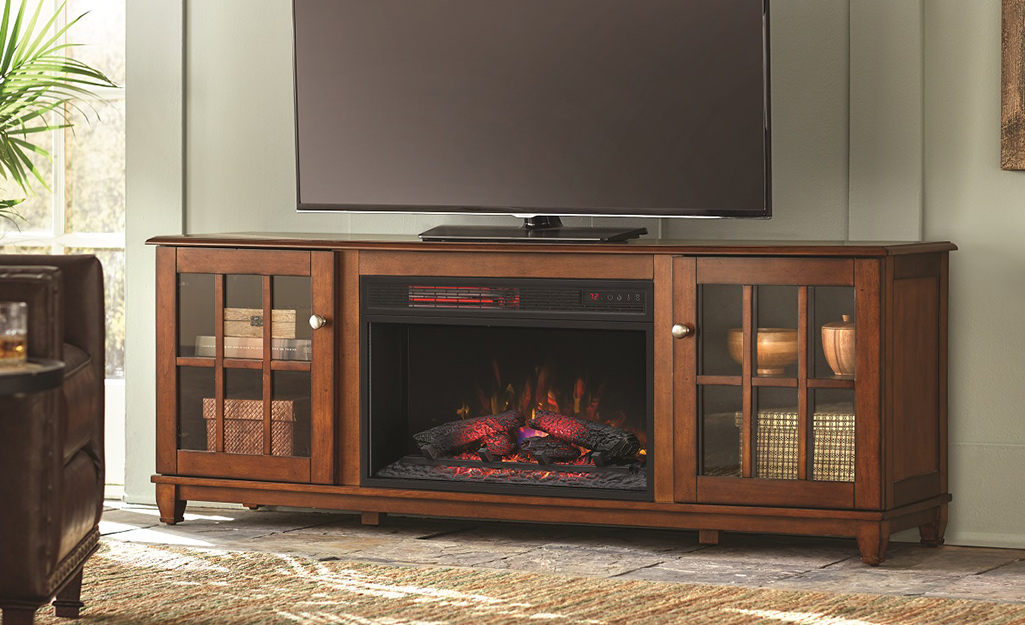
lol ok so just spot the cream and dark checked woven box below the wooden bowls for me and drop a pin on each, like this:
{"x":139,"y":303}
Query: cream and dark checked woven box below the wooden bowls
{"x":776,"y":445}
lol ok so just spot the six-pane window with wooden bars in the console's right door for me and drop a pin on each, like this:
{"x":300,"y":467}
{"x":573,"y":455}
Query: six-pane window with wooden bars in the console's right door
{"x":772,"y":403}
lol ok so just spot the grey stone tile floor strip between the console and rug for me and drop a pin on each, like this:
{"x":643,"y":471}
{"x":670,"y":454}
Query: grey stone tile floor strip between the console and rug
{"x":771,"y":562}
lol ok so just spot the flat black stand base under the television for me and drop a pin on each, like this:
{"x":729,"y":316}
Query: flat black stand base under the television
{"x":535,"y":230}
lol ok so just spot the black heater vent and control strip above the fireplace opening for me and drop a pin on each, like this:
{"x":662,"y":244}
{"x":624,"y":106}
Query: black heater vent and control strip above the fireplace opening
{"x":538,"y":298}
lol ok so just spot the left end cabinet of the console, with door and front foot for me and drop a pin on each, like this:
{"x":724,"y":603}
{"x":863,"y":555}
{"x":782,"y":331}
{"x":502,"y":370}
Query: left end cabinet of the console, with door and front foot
{"x":247,"y":387}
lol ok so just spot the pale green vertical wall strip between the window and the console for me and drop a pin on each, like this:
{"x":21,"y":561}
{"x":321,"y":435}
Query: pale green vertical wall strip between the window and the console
{"x":155,"y":188}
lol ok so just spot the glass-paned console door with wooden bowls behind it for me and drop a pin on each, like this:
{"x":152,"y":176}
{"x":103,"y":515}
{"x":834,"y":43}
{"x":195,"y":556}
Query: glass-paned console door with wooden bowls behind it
{"x":774,"y":393}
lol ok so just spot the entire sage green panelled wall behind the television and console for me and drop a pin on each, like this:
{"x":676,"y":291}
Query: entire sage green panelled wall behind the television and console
{"x":885,"y":119}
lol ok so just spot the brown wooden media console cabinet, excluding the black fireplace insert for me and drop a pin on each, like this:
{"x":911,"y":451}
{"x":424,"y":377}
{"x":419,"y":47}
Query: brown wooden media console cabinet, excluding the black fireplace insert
{"x":755,"y":425}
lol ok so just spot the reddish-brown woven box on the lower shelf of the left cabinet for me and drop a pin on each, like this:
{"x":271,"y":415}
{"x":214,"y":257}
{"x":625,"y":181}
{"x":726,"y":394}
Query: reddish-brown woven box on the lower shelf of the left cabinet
{"x":244,"y":427}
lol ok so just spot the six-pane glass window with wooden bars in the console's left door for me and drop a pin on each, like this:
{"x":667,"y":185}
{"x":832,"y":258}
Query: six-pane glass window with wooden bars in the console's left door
{"x":250,"y":382}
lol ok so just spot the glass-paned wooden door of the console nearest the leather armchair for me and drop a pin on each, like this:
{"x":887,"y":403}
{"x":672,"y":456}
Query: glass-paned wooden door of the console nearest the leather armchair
{"x":245,"y":366}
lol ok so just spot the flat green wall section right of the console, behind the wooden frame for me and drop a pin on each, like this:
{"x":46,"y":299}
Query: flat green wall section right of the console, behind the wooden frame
{"x":971,"y":201}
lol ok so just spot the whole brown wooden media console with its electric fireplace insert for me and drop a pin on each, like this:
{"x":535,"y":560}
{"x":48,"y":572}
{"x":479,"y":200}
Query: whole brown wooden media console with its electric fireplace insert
{"x":794,"y":430}
